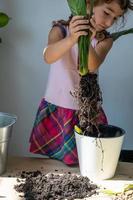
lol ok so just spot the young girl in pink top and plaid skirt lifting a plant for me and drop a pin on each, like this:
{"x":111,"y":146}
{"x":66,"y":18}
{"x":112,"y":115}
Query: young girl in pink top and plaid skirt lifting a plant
{"x":53,"y":131}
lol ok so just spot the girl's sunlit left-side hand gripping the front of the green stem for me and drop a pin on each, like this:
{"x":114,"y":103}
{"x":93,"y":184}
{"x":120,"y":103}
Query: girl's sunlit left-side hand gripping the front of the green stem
{"x":78,"y":26}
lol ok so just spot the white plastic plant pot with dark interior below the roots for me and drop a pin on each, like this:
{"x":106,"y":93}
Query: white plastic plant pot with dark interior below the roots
{"x":98,"y":157}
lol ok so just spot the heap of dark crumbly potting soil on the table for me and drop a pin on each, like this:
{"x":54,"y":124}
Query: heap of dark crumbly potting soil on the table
{"x":39,"y":186}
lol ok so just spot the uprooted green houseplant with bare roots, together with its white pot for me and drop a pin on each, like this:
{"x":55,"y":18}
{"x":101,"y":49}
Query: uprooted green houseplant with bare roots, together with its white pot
{"x":96,"y":157}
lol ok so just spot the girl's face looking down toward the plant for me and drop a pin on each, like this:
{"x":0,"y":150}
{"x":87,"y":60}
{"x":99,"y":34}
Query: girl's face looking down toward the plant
{"x":105,"y":14}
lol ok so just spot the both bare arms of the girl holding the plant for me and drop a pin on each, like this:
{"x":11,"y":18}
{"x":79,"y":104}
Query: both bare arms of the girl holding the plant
{"x":58,"y":45}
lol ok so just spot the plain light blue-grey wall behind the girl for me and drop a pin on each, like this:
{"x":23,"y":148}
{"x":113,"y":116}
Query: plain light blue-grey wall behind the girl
{"x":23,"y":74}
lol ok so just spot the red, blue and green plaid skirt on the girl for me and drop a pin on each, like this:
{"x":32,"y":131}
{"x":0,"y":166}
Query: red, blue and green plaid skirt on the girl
{"x":53,"y":132}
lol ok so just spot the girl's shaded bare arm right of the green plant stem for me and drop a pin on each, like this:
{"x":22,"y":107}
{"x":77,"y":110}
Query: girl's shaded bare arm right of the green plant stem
{"x":97,"y":55}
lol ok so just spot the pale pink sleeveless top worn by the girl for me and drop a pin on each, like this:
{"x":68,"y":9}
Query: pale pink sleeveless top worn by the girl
{"x":64,"y":79}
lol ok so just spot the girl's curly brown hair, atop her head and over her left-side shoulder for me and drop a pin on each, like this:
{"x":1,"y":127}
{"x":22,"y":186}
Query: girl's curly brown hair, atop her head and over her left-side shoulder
{"x":124,"y":4}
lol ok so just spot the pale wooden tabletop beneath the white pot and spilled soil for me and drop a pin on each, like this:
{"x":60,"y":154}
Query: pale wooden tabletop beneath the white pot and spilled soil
{"x":124,"y":174}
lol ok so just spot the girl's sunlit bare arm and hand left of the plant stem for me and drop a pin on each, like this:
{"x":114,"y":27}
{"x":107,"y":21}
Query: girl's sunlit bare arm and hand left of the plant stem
{"x":58,"y":45}
